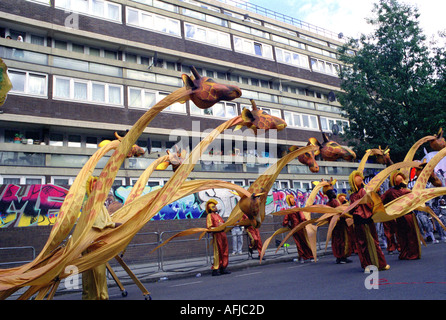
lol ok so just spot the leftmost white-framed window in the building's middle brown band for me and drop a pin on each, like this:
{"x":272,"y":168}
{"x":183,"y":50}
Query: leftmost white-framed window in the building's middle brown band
{"x":29,"y":83}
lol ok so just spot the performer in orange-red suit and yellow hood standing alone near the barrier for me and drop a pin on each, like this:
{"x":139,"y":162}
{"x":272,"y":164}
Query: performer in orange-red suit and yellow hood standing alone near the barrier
{"x":219,"y":239}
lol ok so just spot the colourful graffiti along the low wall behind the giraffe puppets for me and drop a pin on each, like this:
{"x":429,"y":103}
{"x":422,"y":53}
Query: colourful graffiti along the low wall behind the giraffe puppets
{"x":38,"y":205}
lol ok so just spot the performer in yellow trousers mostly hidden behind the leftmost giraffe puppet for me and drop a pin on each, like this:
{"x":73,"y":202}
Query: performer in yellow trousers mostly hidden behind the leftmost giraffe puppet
{"x":94,"y":281}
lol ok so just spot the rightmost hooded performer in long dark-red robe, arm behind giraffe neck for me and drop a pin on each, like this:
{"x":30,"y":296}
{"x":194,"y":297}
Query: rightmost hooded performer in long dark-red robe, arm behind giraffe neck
{"x":407,"y":229}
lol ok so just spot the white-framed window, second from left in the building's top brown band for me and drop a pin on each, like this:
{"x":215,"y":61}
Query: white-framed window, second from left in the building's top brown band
{"x":147,"y":20}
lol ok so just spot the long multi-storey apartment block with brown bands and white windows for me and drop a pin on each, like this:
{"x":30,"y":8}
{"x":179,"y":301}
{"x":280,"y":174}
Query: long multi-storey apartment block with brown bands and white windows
{"x":89,"y":68}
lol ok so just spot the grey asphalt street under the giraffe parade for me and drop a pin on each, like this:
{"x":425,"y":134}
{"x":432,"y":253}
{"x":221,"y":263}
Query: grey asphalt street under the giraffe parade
{"x":406,"y":280}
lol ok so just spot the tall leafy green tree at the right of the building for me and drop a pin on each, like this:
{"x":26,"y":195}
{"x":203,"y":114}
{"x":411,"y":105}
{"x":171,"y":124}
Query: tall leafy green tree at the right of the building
{"x":389,"y":92}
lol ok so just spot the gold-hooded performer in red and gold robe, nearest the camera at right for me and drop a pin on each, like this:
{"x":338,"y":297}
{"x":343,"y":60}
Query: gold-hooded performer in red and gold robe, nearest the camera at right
{"x":366,"y":237}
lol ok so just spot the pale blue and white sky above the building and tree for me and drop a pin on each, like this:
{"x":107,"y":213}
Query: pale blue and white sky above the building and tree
{"x":349,"y":16}
